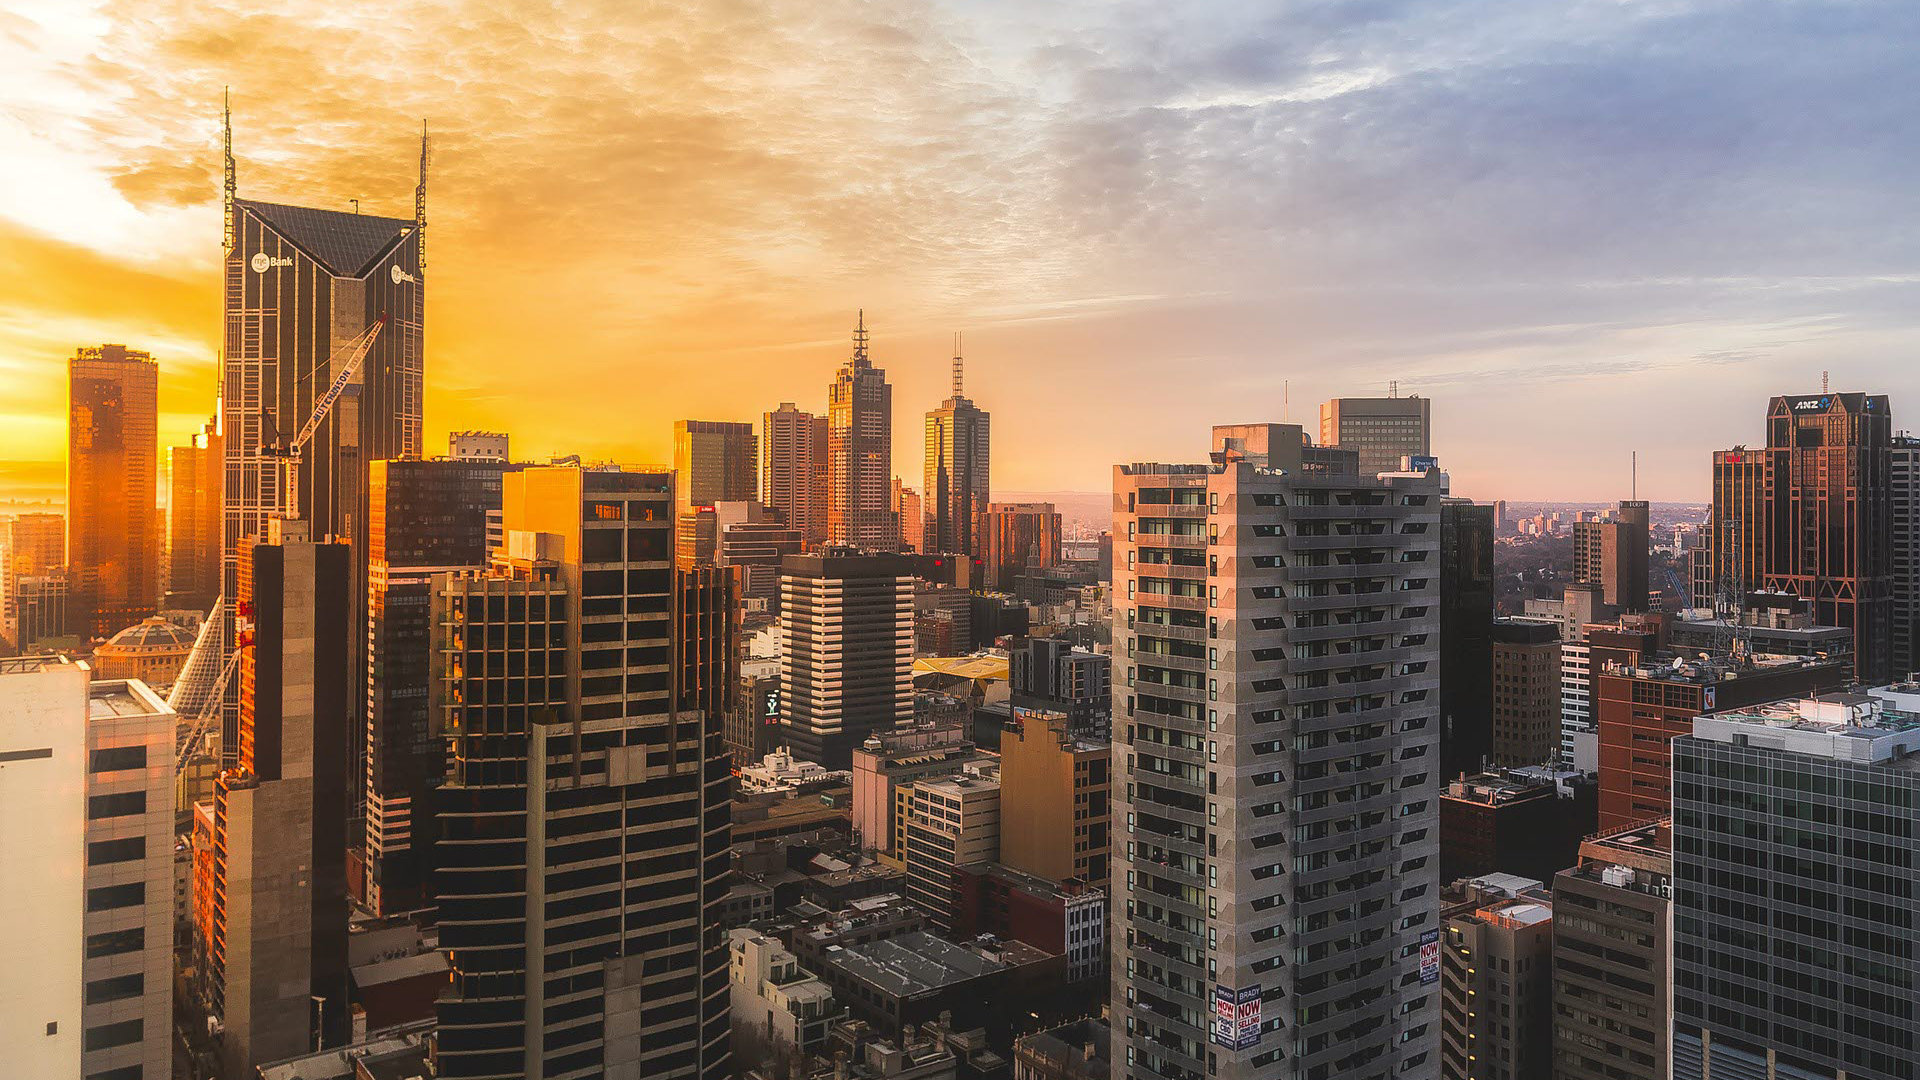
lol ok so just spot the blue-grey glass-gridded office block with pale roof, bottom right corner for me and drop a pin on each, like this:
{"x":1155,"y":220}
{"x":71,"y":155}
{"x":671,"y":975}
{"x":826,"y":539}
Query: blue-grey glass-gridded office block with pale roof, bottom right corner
{"x":1792,"y":891}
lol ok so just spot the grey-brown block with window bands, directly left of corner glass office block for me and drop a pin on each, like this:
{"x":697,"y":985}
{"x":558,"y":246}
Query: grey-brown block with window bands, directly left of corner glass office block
{"x":1612,"y":956}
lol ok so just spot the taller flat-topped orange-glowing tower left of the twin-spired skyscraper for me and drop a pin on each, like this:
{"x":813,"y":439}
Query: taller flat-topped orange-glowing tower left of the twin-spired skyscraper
{"x":112,"y":489}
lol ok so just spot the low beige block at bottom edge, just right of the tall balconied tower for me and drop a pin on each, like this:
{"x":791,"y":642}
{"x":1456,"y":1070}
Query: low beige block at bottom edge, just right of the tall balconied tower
{"x":1497,"y":991}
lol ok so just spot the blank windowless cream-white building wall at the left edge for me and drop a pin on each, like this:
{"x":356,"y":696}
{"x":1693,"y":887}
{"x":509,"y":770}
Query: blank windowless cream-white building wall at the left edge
{"x":43,"y":835}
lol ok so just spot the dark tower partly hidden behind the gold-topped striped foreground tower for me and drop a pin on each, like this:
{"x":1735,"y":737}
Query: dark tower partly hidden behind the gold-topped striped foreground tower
{"x":423,"y":518}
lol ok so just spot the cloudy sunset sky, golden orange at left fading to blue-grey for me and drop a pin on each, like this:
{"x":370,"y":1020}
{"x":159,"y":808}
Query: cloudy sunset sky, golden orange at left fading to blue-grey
{"x":1583,"y":228}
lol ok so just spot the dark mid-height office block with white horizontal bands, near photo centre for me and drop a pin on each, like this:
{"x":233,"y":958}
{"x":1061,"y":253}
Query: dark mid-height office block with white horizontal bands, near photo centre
{"x":846,"y":652}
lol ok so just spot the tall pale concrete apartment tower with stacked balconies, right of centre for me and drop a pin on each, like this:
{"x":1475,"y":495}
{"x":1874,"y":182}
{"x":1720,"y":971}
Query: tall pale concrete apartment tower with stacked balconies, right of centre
{"x":1276,"y":766}
